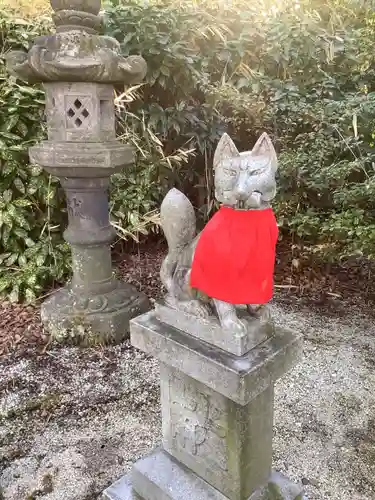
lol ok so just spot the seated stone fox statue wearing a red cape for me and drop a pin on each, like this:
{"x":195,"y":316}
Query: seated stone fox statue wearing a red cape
{"x":231,"y":261}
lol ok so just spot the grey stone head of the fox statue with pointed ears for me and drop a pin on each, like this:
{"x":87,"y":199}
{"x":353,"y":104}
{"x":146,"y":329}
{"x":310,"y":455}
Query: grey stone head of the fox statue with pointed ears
{"x":245,"y":180}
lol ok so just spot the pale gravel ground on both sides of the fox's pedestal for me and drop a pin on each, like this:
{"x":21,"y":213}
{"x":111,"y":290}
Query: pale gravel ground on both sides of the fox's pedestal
{"x":73,"y":420}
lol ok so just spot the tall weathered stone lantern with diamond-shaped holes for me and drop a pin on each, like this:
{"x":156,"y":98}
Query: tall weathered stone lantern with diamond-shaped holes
{"x":79,"y":69}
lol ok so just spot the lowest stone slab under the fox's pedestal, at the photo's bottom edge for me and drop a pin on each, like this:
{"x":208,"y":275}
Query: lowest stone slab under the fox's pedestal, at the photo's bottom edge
{"x":160,"y":477}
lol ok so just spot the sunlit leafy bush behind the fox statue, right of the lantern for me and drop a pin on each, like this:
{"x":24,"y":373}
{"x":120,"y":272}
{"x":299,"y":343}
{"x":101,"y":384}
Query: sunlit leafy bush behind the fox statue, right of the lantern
{"x":301,"y":70}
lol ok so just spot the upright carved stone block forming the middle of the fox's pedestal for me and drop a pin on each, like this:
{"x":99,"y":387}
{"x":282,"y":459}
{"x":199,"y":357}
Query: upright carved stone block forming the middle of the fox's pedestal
{"x":227,"y":444}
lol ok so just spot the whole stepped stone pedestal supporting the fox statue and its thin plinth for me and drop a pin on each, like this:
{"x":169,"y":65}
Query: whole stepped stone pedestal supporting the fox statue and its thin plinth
{"x":217,"y":413}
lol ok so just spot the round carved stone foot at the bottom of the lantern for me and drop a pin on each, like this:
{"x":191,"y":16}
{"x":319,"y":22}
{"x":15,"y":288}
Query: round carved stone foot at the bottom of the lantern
{"x":97,"y":319}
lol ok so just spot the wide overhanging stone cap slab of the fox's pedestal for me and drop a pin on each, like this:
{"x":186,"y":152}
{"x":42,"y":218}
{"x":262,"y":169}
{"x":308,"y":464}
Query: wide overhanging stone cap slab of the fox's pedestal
{"x":240,"y":379}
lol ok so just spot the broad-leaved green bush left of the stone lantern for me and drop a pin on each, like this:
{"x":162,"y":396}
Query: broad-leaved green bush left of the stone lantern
{"x":32,"y":251}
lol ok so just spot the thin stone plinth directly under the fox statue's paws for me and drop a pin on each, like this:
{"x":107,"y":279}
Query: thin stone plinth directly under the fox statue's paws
{"x":210,"y":330}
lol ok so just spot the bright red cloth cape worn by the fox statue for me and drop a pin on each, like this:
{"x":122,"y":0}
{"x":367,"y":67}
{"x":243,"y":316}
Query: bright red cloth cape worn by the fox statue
{"x":235,"y":256}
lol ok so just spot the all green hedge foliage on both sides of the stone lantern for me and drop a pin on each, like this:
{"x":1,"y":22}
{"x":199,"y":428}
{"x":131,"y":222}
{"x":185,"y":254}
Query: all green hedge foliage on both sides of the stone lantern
{"x":305,"y":74}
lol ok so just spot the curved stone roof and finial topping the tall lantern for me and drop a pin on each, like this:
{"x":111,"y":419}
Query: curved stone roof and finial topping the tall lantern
{"x":76,"y":53}
